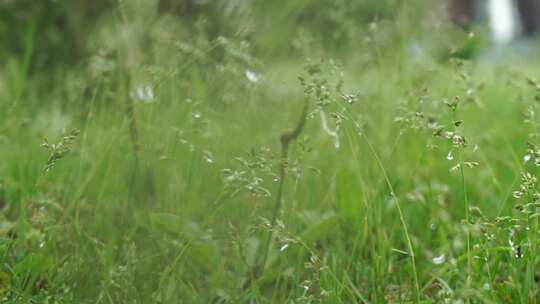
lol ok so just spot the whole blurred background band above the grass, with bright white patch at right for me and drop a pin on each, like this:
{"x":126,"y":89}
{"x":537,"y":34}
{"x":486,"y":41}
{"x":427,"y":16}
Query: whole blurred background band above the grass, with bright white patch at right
{"x":51,"y":35}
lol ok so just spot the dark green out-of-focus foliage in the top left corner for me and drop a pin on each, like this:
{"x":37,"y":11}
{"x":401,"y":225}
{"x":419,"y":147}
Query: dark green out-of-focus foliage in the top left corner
{"x":57,"y":28}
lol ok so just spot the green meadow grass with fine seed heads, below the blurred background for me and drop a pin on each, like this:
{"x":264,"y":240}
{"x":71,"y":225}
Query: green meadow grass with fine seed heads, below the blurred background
{"x":151,"y":174}
